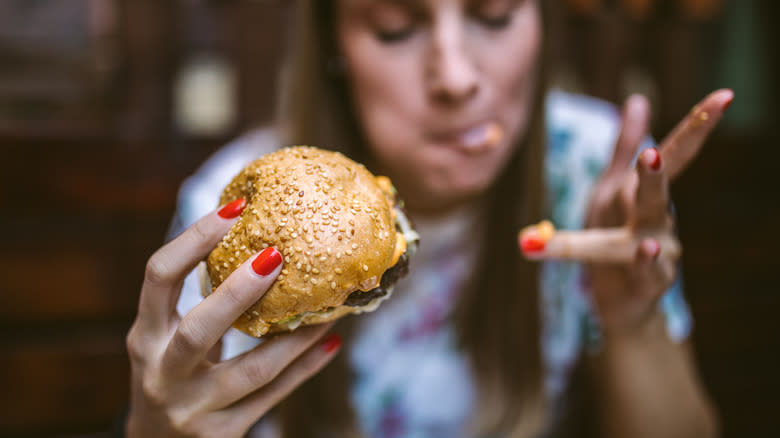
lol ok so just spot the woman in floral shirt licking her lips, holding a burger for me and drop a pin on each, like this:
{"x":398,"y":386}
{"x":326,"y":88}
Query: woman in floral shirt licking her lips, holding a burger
{"x":448,"y":98}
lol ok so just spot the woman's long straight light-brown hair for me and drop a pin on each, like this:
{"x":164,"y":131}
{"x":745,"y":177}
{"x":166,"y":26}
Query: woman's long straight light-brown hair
{"x":497,"y":317}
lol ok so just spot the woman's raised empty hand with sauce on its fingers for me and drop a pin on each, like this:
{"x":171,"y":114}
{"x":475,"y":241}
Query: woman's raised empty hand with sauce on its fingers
{"x":630,"y":244}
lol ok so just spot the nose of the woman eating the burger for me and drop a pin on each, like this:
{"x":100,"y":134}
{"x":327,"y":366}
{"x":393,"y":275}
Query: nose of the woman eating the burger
{"x":452,"y":75}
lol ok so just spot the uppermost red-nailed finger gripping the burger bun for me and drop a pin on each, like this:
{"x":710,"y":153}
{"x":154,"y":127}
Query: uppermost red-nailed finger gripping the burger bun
{"x":166,"y":268}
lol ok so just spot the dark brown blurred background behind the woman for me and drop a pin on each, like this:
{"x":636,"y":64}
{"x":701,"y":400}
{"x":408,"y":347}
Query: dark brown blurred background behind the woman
{"x":107,"y":105}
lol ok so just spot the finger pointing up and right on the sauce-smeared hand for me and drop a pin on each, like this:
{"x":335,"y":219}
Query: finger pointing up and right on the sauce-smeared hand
{"x":682,"y":145}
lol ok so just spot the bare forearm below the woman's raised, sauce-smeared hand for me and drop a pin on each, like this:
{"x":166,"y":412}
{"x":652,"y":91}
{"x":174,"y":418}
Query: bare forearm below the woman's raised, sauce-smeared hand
{"x":647,"y":387}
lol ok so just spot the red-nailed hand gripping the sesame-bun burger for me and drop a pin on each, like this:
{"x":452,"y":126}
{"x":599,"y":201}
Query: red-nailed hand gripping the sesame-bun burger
{"x":176,"y":390}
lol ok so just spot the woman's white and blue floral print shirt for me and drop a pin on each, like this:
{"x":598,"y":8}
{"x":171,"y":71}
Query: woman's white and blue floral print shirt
{"x":411,"y":381}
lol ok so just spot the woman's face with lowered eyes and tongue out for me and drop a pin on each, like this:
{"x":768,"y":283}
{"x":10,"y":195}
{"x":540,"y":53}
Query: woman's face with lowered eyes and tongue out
{"x":442,"y":88}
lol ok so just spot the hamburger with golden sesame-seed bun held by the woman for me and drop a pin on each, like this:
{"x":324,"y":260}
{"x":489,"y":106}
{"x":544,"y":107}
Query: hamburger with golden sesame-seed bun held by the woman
{"x":342,"y":231}
